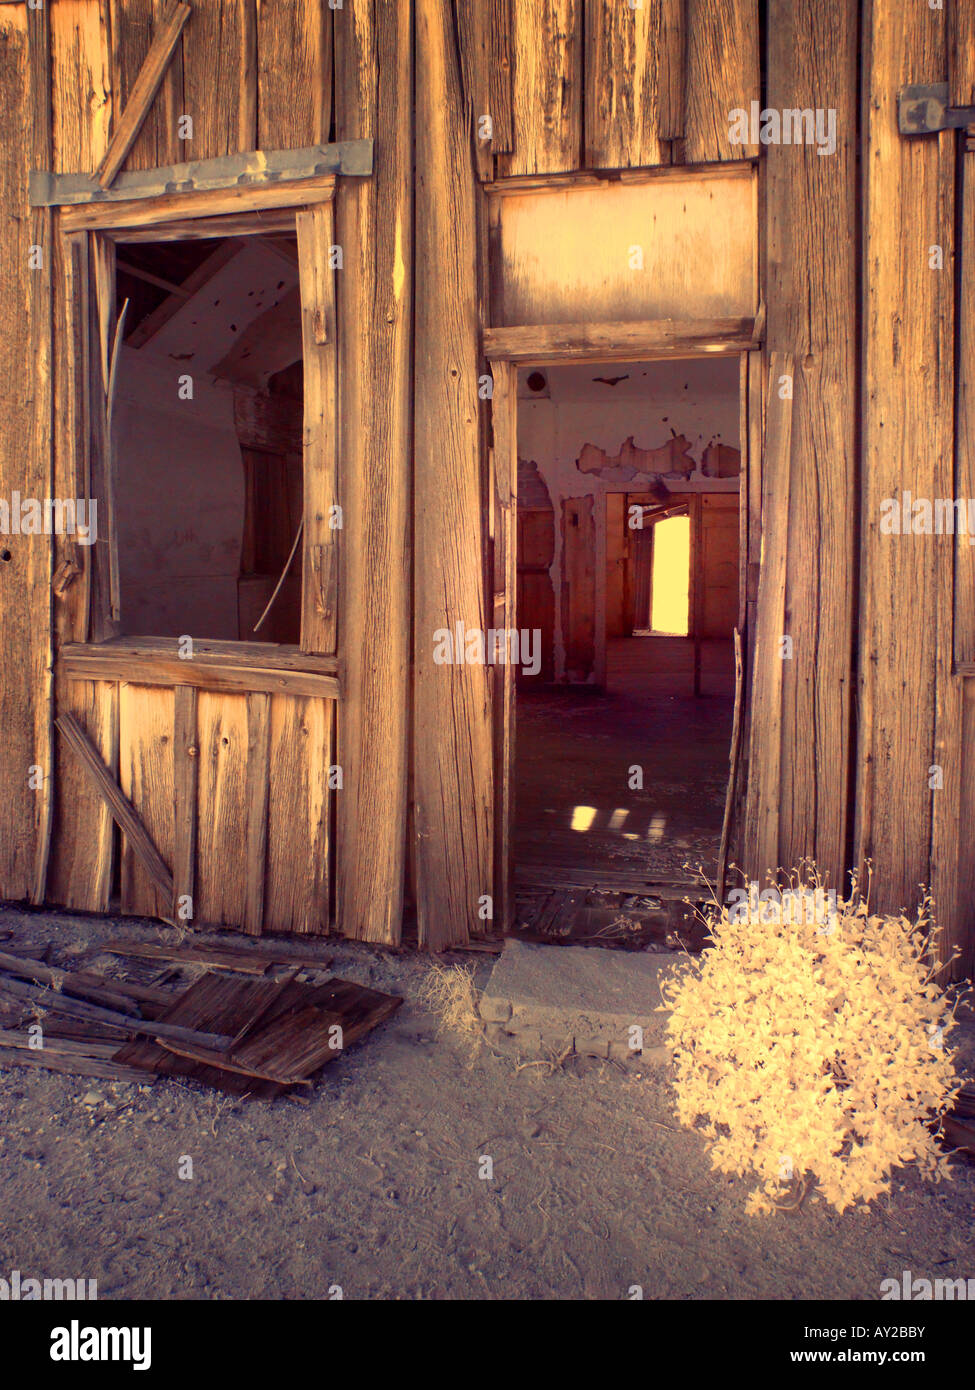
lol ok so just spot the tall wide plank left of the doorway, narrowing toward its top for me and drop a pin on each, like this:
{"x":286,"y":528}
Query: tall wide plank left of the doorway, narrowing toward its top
{"x":453,"y":711}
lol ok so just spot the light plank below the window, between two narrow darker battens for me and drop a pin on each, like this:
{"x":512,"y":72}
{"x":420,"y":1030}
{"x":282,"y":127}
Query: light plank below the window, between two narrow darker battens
{"x":223,"y":821}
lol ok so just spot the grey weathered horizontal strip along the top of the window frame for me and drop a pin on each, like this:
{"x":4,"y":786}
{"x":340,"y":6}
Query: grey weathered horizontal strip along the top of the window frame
{"x":254,"y":170}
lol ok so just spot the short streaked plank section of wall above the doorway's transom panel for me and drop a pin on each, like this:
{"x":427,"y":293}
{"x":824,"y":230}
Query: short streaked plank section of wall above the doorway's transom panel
{"x":602,"y":84}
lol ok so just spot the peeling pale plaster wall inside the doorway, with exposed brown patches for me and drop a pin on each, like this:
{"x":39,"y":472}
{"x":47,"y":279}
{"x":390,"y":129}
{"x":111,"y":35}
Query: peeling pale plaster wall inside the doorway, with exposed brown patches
{"x":650,"y":404}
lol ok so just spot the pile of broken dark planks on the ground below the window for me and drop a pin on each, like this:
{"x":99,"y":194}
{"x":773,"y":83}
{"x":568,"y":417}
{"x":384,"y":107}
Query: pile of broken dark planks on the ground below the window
{"x":243,"y":1027}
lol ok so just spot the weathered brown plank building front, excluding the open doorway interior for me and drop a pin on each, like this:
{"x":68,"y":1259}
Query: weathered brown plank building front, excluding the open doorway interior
{"x":407,"y":202}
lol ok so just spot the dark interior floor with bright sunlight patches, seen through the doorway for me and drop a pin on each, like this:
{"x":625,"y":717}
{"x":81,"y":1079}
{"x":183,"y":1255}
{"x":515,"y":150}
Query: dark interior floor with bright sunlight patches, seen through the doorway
{"x":578,"y":819}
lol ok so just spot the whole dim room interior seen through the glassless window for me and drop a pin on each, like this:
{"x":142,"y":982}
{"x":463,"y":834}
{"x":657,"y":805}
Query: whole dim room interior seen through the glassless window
{"x":208,"y":439}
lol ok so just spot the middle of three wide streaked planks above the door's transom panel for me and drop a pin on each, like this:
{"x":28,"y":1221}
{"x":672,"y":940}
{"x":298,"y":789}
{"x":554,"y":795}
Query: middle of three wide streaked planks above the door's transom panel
{"x":624,"y":55}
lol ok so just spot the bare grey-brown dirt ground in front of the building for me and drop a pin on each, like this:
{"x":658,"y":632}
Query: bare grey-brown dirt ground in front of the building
{"x":375,"y":1185}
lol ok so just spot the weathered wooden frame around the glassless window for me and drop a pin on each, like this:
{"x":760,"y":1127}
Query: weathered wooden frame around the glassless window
{"x":88,"y":237}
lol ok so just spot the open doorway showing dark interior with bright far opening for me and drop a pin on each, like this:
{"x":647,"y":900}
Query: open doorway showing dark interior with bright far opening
{"x":628,"y":568}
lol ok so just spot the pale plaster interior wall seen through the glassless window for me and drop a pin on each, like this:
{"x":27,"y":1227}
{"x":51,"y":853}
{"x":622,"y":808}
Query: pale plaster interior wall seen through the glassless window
{"x":179,"y":466}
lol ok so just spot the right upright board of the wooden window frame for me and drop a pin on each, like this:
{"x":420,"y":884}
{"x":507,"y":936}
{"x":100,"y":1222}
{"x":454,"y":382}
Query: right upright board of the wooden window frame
{"x":322,"y":536}
